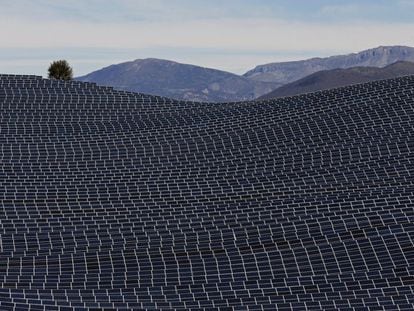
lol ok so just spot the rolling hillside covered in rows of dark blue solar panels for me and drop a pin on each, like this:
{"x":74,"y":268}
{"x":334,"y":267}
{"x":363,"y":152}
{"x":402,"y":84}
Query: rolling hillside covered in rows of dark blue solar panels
{"x":125,"y":201}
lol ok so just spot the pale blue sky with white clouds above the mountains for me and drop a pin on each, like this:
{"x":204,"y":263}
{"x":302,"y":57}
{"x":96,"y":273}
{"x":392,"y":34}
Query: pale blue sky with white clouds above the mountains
{"x":231,"y":35}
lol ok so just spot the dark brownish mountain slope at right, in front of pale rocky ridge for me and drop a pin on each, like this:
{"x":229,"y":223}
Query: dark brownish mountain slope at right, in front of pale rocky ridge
{"x":341,"y":77}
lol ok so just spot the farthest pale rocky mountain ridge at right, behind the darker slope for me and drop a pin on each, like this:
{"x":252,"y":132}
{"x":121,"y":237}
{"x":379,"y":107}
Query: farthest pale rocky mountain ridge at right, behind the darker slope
{"x":286,"y":72}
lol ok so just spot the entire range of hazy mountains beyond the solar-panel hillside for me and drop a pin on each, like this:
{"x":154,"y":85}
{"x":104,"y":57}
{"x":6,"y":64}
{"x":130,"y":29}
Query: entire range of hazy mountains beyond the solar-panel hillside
{"x":189,"y":82}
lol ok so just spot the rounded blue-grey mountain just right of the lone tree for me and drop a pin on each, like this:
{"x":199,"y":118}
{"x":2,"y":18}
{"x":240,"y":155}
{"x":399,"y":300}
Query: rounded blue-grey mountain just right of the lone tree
{"x":179,"y":81}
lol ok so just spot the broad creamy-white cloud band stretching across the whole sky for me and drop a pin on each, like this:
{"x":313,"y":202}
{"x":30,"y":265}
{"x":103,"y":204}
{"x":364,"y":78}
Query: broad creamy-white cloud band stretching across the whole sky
{"x":264,"y":34}
